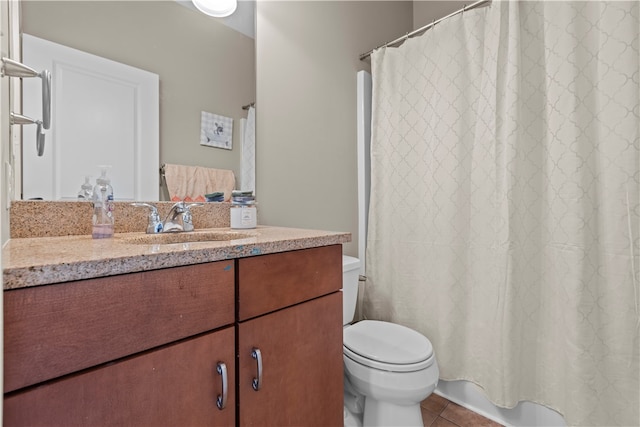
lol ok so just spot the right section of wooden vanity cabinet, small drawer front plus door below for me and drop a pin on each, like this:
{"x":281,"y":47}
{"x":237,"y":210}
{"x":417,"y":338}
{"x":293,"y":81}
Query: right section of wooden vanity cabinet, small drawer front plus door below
{"x":291,"y":311}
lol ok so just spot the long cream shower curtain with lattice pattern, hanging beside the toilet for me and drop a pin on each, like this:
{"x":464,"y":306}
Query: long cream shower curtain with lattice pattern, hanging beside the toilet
{"x":505,"y":214}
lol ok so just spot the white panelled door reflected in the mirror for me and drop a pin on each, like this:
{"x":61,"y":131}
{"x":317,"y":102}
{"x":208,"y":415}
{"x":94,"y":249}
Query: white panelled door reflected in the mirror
{"x":103,"y":113}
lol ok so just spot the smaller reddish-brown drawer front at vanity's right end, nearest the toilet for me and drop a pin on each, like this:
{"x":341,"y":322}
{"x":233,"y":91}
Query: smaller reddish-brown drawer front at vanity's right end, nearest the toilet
{"x":269,"y":282}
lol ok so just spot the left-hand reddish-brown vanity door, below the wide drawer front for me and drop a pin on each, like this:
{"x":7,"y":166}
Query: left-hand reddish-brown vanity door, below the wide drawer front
{"x":175,"y":385}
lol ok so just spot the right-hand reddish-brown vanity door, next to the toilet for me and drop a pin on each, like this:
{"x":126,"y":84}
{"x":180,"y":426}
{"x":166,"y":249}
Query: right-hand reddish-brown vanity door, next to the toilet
{"x":302,"y":376}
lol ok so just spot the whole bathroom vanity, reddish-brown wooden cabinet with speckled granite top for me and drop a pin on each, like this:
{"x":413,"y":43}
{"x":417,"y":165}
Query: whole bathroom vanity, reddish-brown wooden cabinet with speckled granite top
{"x":241,"y":332}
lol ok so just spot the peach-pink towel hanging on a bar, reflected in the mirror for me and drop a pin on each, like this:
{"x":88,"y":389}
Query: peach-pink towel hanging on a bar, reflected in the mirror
{"x":191,"y":183}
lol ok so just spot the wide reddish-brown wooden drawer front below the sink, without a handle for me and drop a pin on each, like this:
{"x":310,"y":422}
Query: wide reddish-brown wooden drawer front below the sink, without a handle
{"x":54,"y":330}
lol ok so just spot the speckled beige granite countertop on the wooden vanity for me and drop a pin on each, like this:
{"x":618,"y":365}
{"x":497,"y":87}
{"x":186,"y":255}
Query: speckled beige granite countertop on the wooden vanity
{"x":37,"y":261}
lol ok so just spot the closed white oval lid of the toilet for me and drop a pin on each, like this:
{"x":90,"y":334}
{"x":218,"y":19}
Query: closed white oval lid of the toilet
{"x":387,"y":342}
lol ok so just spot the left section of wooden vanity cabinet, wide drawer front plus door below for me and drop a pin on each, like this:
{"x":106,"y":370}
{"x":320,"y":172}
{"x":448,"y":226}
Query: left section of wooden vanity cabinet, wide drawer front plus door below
{"x":136,"y":349}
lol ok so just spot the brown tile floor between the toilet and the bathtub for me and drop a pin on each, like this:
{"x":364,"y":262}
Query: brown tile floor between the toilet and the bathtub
{"x":439,"y":412}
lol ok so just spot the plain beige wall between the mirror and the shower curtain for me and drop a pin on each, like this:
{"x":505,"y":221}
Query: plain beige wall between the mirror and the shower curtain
{"x":307,"y":59}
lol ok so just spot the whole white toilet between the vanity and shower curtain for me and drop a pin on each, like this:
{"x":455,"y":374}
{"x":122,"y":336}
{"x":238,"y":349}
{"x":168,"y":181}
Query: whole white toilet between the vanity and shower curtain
{"x":388,"y":369}
